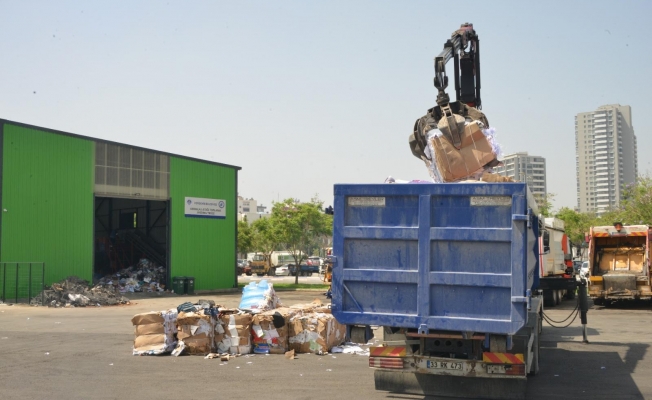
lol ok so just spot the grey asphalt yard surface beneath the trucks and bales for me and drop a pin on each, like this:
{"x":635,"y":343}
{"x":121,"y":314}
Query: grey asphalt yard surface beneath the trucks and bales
{"x":85,"y":353}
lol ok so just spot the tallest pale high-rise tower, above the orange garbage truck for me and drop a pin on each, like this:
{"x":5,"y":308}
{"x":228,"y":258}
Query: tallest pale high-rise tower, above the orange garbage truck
{"x":605,"y":157}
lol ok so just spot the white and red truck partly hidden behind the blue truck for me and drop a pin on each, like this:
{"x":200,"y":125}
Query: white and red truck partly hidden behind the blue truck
{"x":557,"y":275}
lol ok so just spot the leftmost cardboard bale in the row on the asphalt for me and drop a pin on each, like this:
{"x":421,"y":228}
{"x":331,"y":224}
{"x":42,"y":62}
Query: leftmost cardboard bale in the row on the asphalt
{"x":154,"y":332}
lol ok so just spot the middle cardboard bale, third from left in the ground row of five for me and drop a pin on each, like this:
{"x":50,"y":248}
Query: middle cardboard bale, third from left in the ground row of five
{"x":233,"y":332}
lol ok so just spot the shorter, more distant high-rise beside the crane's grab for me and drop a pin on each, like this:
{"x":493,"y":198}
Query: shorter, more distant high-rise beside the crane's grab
{"x":526,"y":168}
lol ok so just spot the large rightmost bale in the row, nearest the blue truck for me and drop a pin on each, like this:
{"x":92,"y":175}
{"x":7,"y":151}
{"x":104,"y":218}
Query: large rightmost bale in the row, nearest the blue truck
{"x":315,"y":332}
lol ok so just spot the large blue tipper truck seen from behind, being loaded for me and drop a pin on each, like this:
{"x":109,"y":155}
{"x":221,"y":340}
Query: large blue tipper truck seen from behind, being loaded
{"x":450,"y":273}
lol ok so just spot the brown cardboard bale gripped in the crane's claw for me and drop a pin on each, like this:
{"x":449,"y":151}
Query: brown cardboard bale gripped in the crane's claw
{"x":475,"y":152}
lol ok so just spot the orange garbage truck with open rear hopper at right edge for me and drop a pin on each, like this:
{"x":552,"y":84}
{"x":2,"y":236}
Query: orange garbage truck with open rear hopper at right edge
{"x":619,"y":263}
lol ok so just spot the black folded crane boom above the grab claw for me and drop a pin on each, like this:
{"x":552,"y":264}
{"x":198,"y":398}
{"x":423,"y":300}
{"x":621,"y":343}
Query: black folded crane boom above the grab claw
{"x":464,"y":48}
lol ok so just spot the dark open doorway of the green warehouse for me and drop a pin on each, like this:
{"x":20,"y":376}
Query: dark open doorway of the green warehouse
{"x":134,"y":234}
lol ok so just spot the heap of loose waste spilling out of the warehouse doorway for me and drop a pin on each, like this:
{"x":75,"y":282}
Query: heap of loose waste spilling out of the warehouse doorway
{"x":146,"y":277}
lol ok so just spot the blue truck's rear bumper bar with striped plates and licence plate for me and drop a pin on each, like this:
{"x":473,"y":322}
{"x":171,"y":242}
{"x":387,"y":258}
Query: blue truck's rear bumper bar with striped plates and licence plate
{"x":493,"y":365}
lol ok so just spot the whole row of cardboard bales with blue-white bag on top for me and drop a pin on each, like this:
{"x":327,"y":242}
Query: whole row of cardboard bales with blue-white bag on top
{"x":265,"y":327}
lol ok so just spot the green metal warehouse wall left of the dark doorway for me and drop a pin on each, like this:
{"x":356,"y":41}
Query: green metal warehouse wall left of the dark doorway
{"x":47,"y":190}
